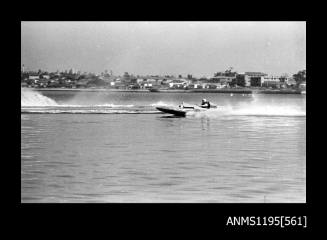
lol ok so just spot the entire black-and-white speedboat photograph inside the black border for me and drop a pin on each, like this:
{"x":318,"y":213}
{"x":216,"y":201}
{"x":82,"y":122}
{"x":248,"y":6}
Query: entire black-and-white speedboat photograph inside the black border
{"x":163,"y":112}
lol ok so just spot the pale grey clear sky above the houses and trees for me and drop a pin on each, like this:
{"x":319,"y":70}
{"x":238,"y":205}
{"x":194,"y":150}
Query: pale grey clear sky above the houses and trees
{"x":160,"y":48}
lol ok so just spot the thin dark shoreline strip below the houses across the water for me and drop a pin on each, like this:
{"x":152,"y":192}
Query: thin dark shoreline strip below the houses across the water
{"x":229,"y":90}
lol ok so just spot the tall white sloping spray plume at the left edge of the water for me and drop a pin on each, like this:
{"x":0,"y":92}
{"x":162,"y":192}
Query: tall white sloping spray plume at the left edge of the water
{"x":30,"y":97}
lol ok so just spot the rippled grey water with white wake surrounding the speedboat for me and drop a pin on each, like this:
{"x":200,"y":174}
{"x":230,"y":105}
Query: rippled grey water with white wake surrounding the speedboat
{"x":118,"y":148}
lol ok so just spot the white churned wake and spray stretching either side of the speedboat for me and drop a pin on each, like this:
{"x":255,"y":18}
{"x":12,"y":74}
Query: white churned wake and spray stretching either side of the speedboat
{"x":34,"y":102}
